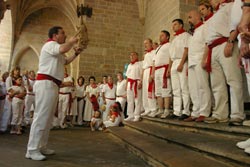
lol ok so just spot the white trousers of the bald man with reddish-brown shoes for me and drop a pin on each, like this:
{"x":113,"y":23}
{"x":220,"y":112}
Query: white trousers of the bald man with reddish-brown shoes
{"x":200,"y":92}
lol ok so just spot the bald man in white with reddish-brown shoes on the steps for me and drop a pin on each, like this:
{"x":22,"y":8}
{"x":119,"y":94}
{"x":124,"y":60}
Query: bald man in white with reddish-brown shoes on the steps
{"x":200,"y":92}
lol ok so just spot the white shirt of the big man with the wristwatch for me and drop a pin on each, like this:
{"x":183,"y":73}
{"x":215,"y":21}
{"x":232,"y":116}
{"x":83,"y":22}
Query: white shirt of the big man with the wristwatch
{"x":219,"y":24}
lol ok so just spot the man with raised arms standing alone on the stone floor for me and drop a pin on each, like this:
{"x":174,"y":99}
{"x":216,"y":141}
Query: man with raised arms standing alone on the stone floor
{"x":49,"y":77}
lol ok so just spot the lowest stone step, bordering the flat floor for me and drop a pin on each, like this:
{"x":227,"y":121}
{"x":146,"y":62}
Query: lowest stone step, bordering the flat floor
{"x":160,"y":153}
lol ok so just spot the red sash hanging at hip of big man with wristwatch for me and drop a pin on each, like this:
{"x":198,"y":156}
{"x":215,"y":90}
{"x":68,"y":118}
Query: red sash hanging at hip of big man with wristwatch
{"x":215,"y":43}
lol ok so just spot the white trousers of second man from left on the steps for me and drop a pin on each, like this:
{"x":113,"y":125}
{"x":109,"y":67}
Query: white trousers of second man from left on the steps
{"x":149,"y":104}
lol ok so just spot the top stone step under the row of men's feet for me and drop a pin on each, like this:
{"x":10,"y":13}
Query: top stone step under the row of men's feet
{"x":218,"y":129}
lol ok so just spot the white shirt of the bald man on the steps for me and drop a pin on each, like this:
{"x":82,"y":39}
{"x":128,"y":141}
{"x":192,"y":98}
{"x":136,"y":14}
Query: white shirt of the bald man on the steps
{"x":196,"y":46}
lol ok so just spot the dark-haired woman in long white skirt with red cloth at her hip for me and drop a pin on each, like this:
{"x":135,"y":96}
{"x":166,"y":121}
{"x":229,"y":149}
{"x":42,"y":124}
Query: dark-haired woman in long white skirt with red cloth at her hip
{"x":92,"y":92}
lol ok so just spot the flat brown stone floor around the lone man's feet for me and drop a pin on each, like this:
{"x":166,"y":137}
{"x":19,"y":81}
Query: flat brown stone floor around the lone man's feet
{"x":75,"y":147}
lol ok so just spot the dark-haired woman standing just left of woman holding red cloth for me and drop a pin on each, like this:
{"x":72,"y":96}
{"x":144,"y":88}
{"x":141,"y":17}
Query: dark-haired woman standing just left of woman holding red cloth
{"x":80,"y":94}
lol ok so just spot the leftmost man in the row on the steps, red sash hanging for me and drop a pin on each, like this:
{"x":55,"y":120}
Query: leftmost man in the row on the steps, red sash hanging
{"x":134,"y":85}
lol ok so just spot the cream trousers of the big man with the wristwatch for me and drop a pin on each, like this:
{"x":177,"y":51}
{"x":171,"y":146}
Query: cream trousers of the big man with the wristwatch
{"x":226,"y":70}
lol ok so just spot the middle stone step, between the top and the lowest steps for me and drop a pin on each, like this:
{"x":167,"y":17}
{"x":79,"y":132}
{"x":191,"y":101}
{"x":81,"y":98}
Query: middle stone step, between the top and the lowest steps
{"x":222,"y":148}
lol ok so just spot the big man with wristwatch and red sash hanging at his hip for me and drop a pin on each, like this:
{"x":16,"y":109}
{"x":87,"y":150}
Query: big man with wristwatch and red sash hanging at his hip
{"x":223,"y":67}
